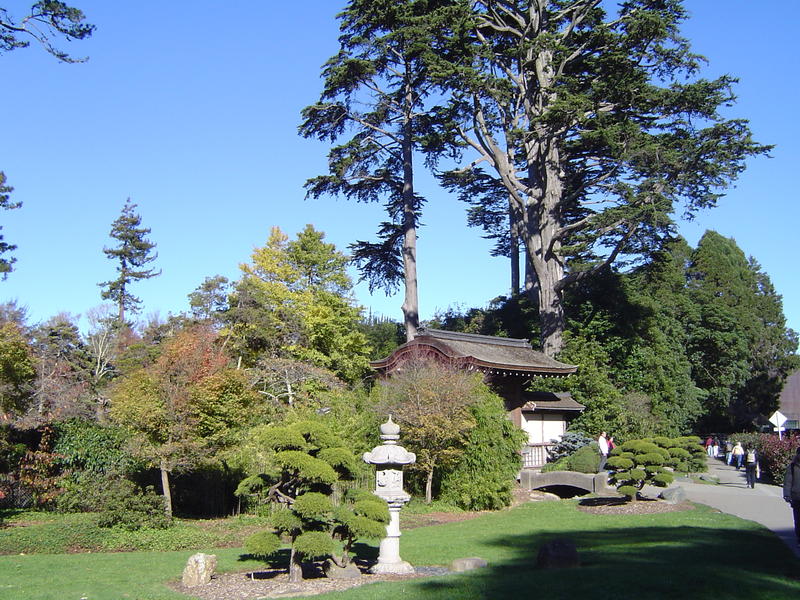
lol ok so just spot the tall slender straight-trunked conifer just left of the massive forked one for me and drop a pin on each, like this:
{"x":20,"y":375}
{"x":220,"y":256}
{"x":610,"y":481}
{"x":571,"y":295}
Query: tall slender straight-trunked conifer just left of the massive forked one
{"x":374,"y":98}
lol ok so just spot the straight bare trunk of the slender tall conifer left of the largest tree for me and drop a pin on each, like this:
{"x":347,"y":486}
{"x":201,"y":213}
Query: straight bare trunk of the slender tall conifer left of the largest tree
{"x":411,"y":302}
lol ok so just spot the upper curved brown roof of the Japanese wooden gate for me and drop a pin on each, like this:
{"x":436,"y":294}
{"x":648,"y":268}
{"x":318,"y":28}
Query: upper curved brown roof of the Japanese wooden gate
{"x":495,"y":355}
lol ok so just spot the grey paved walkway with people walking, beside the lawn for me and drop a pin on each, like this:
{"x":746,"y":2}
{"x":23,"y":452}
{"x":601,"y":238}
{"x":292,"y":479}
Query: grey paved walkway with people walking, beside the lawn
{"x":763,"y":504}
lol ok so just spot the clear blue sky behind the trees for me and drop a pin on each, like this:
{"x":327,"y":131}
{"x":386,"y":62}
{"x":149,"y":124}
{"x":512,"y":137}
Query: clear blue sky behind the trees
{"x":191,"y":110}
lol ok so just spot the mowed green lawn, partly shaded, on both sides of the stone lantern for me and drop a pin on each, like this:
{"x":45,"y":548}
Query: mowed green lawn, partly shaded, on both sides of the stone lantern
{"x":689,"y":554}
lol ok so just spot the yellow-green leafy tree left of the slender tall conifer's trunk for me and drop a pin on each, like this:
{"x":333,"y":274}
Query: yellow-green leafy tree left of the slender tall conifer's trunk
{"x":294,"y":300}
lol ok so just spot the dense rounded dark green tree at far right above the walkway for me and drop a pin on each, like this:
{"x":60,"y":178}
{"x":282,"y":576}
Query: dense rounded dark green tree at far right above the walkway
{"x":740,"y":347}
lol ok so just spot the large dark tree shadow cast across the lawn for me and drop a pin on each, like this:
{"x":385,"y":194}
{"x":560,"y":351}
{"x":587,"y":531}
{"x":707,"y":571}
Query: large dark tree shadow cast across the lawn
{"x":641,"y":563}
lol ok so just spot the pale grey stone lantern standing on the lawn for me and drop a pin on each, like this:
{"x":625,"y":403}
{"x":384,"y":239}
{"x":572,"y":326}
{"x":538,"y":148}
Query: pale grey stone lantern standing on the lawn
{"x":389,"y":459}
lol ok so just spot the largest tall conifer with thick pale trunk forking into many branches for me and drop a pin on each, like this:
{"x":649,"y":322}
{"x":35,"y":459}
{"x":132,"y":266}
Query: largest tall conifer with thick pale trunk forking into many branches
{"x":598,"y":127}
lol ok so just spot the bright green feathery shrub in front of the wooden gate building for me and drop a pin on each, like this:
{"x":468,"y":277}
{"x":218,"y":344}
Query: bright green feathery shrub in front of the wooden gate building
{"x":485,"y":475}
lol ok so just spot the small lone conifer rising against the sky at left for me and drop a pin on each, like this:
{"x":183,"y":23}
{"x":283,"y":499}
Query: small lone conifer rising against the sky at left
{"x":133,"y":252}
